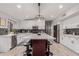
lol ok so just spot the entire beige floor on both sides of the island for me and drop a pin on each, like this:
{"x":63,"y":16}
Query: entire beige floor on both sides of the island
{"x":57,"y":49}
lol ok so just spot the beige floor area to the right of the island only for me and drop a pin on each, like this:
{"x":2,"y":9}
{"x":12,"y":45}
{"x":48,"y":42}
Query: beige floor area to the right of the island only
{"x":60,"y":50}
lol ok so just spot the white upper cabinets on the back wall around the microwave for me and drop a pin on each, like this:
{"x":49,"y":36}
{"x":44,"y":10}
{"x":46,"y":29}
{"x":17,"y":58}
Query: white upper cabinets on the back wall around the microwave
{"x":28,"y":24}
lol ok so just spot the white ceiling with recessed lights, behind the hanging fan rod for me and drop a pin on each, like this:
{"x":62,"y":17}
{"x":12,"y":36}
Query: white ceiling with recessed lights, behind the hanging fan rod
{"x":30,"y":10}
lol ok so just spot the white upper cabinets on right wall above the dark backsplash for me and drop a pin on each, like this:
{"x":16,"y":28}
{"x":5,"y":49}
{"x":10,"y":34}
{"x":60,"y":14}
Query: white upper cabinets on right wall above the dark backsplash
{"x":71,"y":22}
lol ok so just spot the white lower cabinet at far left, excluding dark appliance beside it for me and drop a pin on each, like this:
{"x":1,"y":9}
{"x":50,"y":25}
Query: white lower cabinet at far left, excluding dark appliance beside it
{"x":5,"y":43}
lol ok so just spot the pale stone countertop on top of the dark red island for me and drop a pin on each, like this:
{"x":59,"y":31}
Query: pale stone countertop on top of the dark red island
{"x":43,"y":36}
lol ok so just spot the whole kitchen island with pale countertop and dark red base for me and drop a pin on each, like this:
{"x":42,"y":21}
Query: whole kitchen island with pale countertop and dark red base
{"x":40,"y":43}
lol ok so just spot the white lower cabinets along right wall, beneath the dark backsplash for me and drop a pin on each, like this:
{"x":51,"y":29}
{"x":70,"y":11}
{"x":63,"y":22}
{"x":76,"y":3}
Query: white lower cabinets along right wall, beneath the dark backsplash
{"x":72,"y":43}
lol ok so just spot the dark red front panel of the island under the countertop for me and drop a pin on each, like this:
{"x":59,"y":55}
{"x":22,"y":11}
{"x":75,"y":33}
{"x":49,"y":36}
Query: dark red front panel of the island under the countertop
{"x":39,"y":47}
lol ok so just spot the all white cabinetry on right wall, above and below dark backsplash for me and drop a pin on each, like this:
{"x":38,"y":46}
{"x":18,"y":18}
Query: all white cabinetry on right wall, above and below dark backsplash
{"x":70,"y":41}
